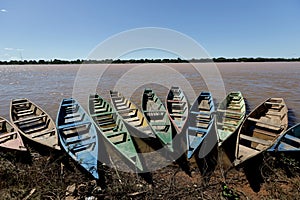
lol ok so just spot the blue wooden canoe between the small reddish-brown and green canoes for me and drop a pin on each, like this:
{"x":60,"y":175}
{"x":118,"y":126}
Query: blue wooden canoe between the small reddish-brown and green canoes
{"x":201,"y":122}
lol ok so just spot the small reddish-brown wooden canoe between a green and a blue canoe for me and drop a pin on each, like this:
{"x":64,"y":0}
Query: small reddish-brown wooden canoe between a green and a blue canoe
{"x":177,"y":107}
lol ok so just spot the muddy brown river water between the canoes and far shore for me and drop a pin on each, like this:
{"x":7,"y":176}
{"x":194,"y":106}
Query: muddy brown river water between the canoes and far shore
{"x":47,"y":85}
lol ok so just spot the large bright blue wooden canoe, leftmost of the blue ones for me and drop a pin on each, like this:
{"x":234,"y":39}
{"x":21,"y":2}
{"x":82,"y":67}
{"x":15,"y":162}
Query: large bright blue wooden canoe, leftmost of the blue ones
{"x":78,"y":135}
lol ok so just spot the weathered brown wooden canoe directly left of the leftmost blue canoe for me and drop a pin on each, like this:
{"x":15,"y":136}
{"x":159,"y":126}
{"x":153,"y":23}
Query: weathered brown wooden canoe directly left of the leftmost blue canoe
{"x":34,"y":123}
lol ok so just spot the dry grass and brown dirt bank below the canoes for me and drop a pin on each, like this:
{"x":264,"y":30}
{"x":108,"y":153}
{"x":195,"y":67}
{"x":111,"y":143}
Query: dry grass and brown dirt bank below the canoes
{"x":48,"y":176}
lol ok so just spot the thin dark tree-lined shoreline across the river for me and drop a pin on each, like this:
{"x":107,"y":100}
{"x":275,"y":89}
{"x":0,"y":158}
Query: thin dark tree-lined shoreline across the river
{"x":133,"y":61}
